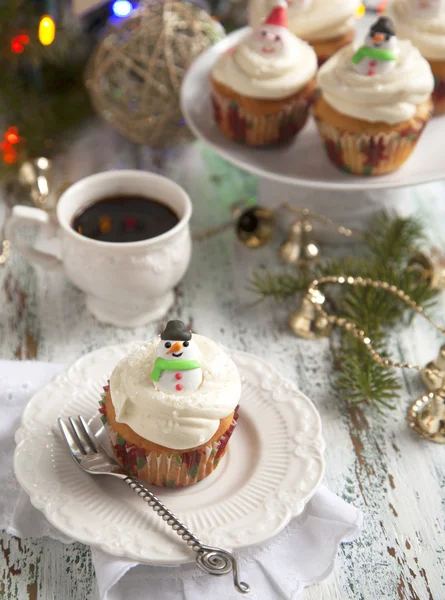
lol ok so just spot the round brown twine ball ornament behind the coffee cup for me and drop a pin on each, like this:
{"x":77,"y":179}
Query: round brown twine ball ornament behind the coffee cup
{"x":134,"y":76}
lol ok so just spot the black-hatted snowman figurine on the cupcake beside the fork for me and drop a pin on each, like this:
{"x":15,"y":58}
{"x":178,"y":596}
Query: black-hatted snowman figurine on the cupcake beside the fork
{"x":177,"y":369}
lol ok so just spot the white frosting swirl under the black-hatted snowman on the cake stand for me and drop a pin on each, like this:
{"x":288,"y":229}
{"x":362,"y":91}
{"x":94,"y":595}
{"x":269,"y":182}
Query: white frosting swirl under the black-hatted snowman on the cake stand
{"x":390,"y":97}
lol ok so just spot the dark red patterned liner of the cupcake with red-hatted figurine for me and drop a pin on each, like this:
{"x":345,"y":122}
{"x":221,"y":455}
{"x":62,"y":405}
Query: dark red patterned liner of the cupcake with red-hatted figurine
{"x":278,"y":127}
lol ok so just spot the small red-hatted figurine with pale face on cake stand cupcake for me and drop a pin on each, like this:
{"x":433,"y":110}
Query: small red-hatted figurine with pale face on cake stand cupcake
{"x":273,"y":38}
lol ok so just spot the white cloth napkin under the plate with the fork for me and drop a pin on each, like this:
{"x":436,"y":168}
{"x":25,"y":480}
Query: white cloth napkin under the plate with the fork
{"x":303,"y":554}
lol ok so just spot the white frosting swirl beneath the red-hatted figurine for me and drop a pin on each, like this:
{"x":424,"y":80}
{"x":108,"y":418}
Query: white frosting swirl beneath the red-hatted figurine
{"x":248,"y":70}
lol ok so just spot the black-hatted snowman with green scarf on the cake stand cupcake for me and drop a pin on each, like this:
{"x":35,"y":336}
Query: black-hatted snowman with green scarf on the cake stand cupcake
{"x":379,"y":53}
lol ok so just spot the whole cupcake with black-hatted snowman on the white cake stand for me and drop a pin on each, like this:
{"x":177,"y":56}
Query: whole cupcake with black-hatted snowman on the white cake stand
{"x":374,"y":102}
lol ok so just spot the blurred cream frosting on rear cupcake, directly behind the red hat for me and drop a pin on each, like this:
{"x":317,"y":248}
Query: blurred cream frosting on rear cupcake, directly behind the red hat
{"x":313,"y":21}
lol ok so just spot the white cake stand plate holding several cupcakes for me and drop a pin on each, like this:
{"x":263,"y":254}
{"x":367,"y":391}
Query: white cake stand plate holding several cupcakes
{"x":304,"y":163}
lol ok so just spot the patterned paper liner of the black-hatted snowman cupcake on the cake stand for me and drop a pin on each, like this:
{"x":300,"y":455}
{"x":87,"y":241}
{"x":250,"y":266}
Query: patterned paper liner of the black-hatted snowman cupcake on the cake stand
{"x":369,"y":154}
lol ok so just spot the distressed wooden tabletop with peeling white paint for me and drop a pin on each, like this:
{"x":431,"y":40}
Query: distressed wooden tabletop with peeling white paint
{"x":375,"y":463}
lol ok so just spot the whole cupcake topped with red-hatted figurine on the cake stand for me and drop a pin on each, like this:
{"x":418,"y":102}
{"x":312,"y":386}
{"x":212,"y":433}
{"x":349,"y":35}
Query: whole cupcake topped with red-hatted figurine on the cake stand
{"x":262,"y":88}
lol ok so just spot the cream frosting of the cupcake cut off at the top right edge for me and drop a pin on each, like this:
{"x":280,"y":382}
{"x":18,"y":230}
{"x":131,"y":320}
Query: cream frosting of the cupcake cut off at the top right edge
{"x":426,"y":34}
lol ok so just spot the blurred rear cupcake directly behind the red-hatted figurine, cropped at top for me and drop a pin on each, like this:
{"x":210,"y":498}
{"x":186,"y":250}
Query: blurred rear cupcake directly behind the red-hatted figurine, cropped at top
{"x":327,"y":25}
